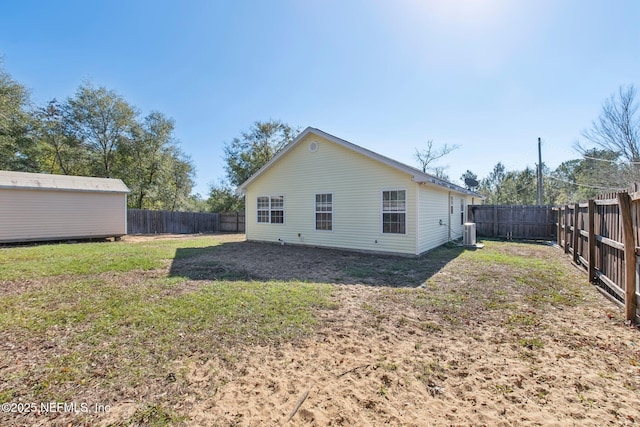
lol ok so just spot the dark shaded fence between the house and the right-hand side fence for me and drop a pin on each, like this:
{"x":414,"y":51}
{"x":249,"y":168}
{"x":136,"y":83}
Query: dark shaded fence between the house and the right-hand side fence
{"x":514,"y":222}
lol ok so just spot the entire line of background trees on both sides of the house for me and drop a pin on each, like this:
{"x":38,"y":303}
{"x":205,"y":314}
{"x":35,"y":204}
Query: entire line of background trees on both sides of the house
{"x":96,"y":132}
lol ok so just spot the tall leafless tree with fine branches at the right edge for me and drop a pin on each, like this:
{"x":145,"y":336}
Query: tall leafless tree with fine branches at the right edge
{"x":617,"y":128}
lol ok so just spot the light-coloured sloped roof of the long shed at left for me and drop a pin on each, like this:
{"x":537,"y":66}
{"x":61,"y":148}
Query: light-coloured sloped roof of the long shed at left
{"x":44,"y":181}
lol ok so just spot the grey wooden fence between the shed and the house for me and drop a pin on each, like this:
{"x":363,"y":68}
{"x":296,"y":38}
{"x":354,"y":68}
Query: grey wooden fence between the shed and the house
{"x":142,"y":221}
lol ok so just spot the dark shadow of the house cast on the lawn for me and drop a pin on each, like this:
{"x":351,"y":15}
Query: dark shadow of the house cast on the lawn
{"x":266,"y":261}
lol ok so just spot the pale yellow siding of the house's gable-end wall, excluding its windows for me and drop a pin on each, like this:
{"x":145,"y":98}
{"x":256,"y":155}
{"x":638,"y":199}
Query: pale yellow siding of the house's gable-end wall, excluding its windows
{"x":356,"y":182}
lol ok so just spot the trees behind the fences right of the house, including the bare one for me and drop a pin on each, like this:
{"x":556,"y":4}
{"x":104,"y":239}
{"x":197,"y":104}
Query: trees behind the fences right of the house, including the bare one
{"x":609,"y":161}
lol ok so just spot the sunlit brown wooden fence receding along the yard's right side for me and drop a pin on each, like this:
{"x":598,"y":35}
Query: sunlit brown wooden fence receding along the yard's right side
{"x":603,"y":237}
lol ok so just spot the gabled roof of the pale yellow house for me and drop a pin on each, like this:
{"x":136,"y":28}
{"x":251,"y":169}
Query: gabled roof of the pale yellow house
{"x":417,"y":174}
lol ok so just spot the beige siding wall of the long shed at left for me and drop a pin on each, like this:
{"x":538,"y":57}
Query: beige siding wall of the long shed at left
{"x":50,"y":215}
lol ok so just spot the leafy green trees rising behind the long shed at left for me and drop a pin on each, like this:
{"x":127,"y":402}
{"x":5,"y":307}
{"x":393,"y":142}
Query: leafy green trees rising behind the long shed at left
{"x":96,"y":132}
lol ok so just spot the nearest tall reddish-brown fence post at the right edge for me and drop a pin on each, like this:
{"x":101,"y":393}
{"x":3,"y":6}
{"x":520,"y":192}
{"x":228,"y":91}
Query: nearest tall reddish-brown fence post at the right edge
{"x":624,"y":201}
